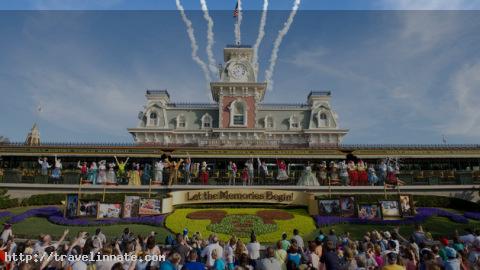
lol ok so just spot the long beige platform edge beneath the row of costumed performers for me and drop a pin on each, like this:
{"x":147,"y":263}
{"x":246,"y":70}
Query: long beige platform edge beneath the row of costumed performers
{"x":468,"y":192}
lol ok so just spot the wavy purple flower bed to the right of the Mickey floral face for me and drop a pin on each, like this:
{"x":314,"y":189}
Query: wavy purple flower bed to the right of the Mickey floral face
{"x":423,"y":213}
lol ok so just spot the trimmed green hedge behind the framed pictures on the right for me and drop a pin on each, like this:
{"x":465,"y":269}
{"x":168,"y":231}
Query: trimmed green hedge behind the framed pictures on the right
{"x":420,"y":201}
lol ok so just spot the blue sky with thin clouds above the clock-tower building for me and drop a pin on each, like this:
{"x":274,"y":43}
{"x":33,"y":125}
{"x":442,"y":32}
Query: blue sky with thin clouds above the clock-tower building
{"x":402,"y":76}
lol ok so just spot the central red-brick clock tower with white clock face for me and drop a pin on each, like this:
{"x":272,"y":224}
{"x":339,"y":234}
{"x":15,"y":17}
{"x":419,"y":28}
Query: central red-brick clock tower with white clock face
{"x":238,"y":93}
